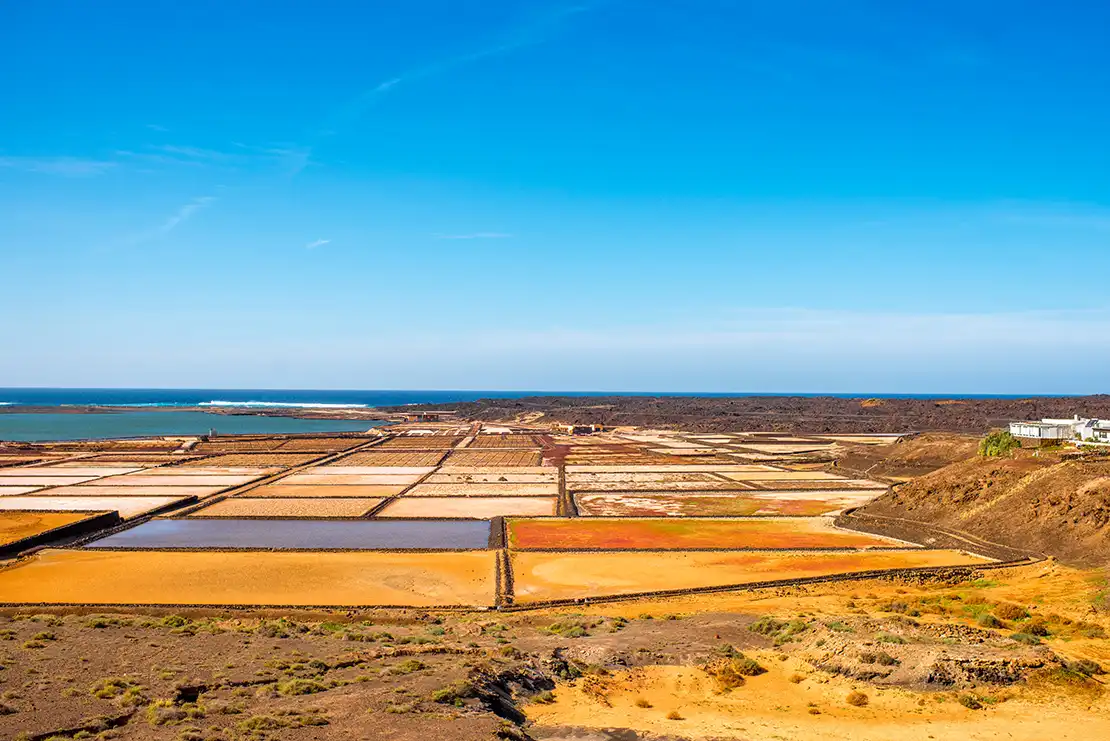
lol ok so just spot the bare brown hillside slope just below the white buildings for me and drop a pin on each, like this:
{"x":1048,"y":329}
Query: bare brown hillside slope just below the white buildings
{"x":1057,"y":506}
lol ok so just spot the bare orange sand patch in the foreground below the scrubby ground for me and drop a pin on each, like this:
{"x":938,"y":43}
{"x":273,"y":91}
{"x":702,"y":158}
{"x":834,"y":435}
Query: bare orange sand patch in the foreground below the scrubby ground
{"x":773,"y":707}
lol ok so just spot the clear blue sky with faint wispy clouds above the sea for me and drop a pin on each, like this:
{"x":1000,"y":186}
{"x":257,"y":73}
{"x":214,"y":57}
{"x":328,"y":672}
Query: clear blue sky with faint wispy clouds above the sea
{"x":612,"y":196}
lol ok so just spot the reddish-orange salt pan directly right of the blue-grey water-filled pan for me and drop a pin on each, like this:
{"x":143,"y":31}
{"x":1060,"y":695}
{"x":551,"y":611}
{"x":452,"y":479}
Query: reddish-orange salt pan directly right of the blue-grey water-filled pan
{"x":612,"y":534}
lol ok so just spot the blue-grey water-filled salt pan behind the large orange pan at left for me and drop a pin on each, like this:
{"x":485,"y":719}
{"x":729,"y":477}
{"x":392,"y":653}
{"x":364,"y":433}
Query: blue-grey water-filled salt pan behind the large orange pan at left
{"x":304,"y":535}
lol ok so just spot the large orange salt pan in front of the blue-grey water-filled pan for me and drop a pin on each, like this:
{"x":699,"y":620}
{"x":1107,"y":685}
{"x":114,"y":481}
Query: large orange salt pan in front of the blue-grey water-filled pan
{"x":58,"y":576}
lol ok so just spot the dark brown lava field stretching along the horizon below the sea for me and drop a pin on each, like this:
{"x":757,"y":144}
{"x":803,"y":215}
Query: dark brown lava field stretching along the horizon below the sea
{"x":791,"y":414}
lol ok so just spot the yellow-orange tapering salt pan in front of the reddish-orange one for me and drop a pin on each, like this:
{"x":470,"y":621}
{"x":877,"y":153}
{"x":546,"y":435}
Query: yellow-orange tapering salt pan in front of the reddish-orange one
{"x":540,"y":577}
